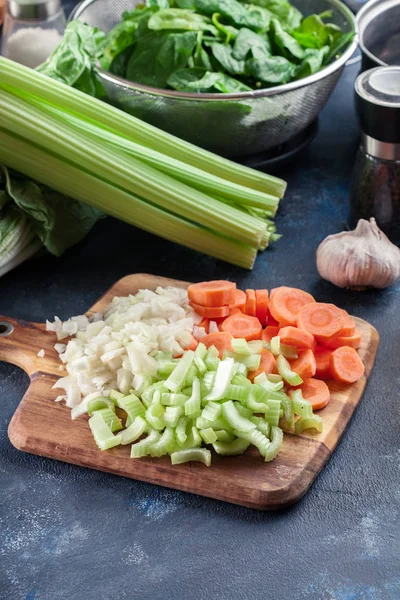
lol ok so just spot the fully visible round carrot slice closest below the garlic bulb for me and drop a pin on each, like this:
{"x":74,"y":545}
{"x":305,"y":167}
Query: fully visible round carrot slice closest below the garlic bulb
{"x":320,"y":319}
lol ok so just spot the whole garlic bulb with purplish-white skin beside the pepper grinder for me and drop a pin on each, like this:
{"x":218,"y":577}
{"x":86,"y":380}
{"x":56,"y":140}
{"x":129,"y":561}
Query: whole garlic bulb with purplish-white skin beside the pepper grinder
{"x":359,"y":259}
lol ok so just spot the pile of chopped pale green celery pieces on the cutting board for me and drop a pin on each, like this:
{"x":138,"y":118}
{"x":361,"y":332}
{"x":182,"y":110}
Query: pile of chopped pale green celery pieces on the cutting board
{"x":200,"y":399}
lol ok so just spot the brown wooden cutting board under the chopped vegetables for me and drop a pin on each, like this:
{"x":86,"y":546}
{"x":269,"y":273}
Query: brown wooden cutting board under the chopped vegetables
{"x":44,"y":427}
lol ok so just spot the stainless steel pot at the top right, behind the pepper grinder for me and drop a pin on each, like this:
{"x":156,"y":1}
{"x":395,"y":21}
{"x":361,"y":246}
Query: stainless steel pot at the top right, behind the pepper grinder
{"x":379,"y":33}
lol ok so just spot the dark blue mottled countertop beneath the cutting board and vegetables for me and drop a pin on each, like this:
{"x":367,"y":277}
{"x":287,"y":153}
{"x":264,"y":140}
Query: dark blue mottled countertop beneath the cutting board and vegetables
{"x":73,"y":533}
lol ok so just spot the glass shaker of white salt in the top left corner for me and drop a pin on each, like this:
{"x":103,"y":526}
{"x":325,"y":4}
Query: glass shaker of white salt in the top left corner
{"x":32,"y":30}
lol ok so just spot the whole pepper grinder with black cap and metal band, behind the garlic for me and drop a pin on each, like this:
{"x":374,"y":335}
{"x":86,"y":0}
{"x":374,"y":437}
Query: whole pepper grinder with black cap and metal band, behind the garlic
{"x":375,"y":186}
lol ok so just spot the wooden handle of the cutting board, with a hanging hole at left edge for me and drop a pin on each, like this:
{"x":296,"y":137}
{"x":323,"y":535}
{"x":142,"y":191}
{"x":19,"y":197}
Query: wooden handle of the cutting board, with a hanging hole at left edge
{"x":20,"y":341}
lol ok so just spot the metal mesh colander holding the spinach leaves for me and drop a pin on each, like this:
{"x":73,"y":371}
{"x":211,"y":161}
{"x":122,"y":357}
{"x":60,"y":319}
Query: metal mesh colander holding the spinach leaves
{"x":229,"y":124}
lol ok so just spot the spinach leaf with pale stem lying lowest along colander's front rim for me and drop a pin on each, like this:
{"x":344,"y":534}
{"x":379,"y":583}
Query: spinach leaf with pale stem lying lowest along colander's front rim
{"x":200,"y":80}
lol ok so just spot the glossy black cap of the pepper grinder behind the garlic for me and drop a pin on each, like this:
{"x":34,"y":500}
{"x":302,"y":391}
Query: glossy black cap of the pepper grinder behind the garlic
{"x":377,"y":97}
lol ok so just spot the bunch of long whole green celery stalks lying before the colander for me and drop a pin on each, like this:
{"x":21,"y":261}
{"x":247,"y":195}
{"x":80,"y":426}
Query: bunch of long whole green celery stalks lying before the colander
{"x":95,"y":153}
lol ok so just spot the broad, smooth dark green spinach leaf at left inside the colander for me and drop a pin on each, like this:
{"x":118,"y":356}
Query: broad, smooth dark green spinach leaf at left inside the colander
{"x":159,"y":54}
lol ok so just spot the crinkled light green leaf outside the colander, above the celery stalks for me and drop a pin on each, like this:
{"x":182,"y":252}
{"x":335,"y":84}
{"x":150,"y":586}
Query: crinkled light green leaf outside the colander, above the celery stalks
{"x":73,"y":61}
